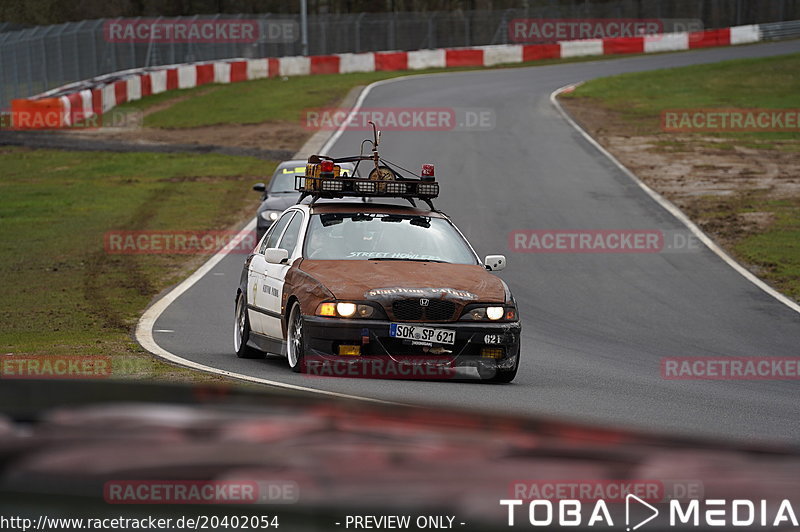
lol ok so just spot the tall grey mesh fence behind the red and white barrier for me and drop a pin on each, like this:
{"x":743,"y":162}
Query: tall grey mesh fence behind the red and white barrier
{"x":37,"y":59}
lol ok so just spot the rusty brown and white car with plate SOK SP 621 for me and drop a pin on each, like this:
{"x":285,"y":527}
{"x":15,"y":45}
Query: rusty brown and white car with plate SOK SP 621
{"x":340,"y":282}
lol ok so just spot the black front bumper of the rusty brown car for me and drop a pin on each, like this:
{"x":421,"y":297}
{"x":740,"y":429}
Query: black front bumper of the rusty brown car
{"x":323,"y":336}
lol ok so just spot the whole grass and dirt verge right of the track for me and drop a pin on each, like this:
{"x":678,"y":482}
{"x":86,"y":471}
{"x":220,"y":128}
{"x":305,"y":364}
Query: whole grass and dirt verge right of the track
{"x":755,"y":213}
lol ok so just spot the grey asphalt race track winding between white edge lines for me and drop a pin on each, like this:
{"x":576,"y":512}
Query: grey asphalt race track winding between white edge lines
{"x":595,"y":326}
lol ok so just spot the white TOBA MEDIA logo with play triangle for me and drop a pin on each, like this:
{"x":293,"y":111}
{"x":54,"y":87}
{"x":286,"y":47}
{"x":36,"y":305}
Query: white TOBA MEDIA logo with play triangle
{"x":733,"y":513}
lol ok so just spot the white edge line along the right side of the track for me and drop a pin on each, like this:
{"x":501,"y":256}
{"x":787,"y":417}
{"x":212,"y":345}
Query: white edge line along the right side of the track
{"x":669,"y":206}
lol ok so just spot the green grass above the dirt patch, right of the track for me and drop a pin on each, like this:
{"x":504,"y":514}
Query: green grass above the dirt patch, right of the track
{"x":639,"y":98}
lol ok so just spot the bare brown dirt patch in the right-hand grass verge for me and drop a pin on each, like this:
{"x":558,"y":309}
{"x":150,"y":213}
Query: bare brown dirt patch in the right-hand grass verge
{"x":690,"y":170}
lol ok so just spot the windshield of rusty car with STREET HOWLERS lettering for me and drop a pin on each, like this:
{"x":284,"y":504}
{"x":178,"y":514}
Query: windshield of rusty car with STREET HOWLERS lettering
{"x":385,"y":237}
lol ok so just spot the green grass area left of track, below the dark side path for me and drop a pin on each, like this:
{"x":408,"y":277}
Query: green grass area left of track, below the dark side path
{"x":63,"y":293}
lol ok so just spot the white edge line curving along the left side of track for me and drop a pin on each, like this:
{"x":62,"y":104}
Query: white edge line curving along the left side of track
{"x":144,"y":327}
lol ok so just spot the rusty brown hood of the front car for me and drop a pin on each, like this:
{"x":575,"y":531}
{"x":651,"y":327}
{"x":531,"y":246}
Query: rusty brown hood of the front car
{"x":369,"y":279}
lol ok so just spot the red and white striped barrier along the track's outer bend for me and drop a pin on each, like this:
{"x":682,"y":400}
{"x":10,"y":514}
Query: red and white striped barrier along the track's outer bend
{"x":61,"y":107}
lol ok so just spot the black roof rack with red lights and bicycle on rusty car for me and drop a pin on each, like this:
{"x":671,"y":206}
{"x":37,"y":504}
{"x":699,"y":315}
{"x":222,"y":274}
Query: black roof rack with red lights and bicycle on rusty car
{"x":324,"y":178}
